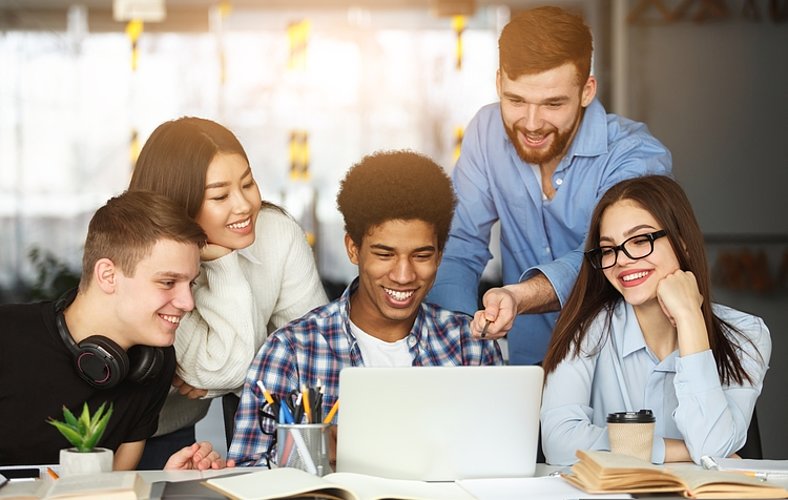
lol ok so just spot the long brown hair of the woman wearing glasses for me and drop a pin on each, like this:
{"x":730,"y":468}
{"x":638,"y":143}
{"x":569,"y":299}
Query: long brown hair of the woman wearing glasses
{"x":593,"y":294}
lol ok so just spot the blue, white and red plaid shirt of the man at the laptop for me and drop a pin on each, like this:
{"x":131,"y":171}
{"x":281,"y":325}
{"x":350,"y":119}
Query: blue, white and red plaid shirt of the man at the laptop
{"x":319,"y":344}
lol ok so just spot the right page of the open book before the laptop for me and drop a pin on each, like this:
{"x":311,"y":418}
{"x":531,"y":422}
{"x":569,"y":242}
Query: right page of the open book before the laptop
{"x":374,"y":488}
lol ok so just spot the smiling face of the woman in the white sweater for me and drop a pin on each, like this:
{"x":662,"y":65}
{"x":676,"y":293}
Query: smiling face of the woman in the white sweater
{"x":231,"y":203}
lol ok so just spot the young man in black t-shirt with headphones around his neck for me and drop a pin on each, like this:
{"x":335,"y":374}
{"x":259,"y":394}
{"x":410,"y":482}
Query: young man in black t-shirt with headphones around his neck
{"x":109,"y":341}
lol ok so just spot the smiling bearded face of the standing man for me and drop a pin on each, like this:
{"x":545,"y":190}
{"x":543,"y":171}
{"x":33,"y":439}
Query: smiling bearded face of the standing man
{"x":541,"y":112}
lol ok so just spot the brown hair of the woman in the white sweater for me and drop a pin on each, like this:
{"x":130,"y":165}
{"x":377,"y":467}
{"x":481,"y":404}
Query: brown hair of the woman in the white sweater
{"x":175,"y":159}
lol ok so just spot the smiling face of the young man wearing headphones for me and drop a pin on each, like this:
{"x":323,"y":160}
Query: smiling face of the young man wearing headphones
{"x":150,"y":303}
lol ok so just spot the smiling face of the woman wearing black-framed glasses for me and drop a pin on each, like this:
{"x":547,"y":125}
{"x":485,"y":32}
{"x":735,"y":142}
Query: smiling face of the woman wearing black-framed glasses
{"x":635,"y":280}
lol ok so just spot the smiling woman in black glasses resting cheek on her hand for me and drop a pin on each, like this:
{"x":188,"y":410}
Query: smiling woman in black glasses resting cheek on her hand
{"x":639,"y":331}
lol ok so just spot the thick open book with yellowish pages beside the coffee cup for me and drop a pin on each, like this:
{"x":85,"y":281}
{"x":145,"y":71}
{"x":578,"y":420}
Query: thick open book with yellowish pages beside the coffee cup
{"x":605,"y":472}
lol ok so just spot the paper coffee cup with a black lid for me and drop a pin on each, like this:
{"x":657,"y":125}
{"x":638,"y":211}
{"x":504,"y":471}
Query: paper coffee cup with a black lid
{"x":631,"y":433}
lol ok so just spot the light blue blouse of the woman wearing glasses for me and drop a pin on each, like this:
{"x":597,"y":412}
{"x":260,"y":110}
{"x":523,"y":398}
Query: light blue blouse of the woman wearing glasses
{"x":684,"y":393}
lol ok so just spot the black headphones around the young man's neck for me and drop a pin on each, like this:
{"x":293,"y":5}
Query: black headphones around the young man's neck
{"x":100,"y":361}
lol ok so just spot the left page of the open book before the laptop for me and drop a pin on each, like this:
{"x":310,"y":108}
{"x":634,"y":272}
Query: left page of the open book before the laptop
{"x":277,"y":483}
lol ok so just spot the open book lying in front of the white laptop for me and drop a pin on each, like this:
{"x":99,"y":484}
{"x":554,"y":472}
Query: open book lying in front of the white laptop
{"x":287,"y":482}
